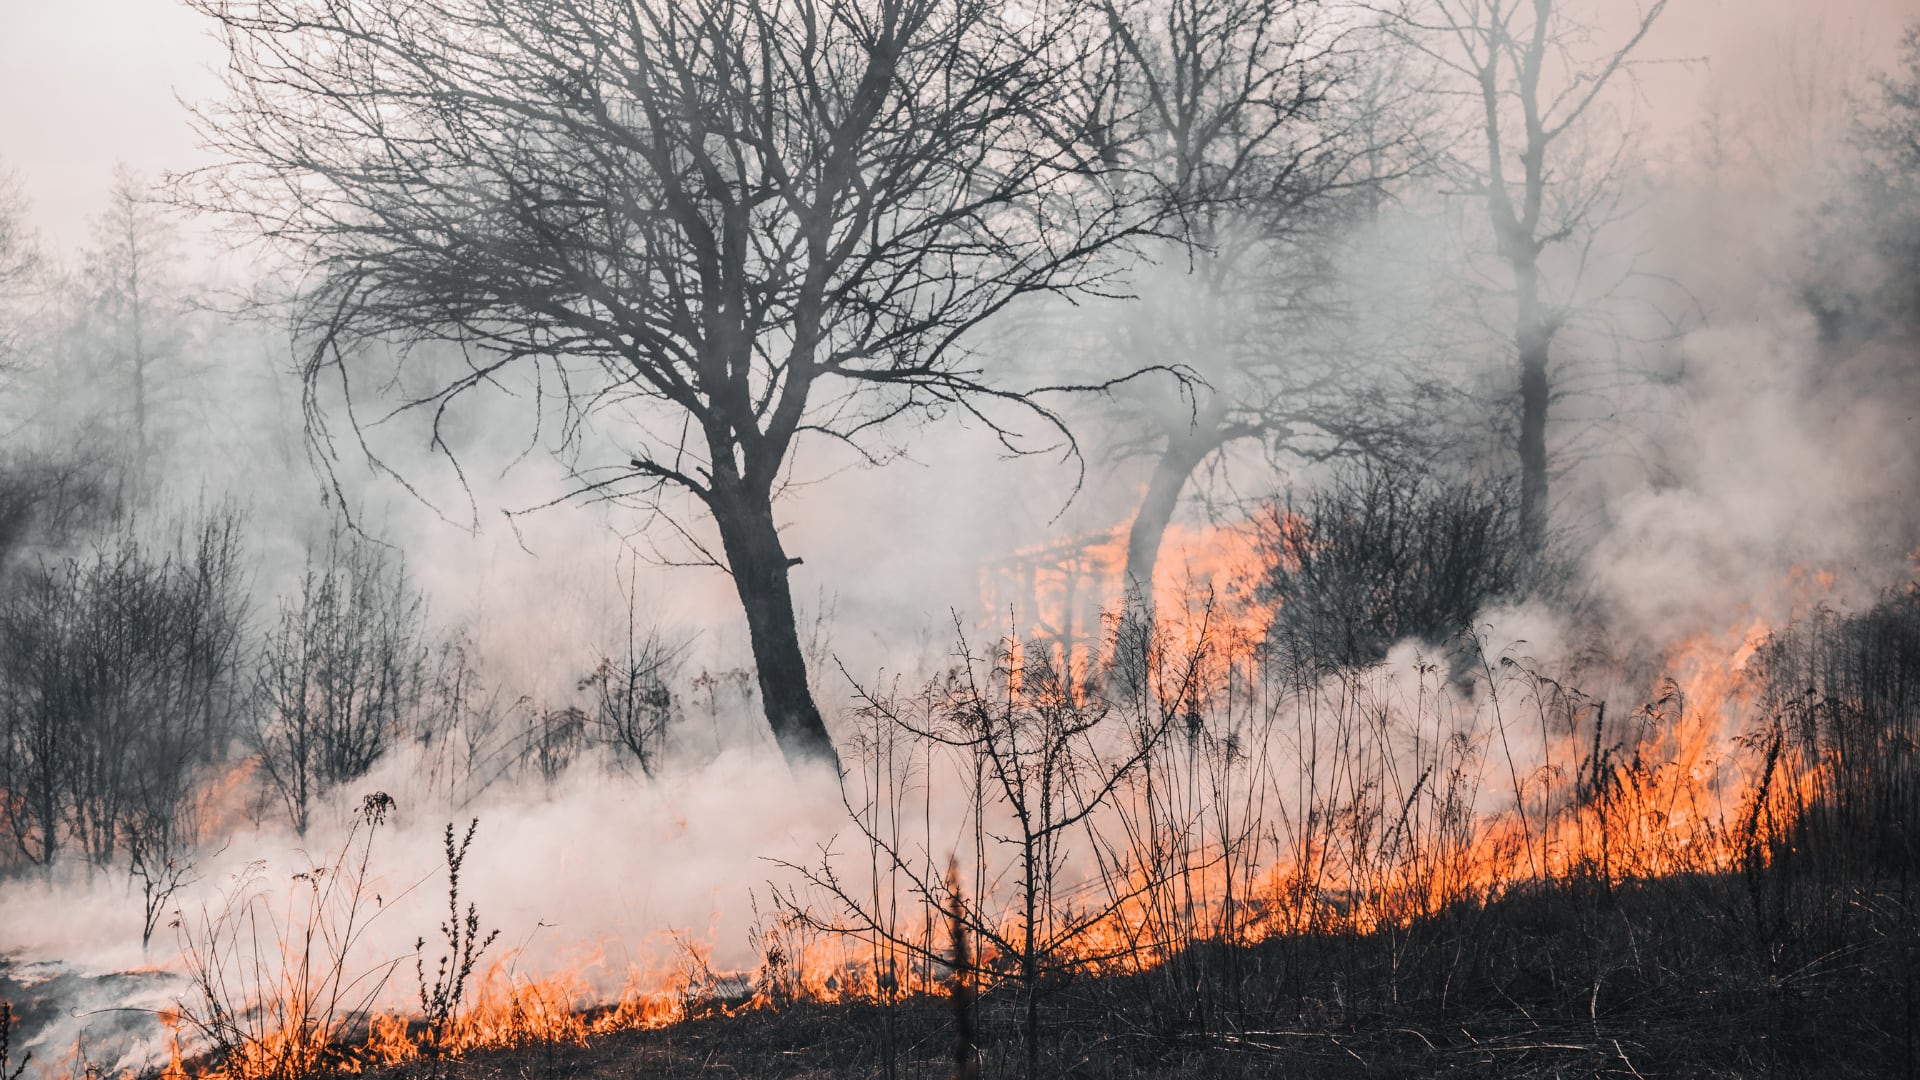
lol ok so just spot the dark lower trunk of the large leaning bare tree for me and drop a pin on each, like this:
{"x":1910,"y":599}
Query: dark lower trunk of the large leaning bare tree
{"x":759,"y":568}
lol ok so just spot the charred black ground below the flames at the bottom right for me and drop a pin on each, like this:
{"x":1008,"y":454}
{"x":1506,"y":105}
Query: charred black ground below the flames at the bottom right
{"x":1564,"y":983}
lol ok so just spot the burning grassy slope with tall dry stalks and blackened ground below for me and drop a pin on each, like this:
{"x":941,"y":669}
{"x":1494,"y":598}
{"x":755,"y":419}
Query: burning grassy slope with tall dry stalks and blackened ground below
{"x":1209,"y":850}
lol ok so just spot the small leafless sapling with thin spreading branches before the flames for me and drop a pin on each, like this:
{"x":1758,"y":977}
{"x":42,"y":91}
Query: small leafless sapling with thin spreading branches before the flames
{"x":1045,"y":760}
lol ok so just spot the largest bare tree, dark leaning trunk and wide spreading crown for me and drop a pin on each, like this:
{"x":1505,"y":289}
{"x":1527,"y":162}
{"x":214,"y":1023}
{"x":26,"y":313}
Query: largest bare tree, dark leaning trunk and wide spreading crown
{"x":740,"y":224}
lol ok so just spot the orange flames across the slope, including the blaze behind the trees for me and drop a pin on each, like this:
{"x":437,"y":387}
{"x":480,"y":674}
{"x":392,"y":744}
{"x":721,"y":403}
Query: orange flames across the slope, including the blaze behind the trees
{"x":1351,"y":802}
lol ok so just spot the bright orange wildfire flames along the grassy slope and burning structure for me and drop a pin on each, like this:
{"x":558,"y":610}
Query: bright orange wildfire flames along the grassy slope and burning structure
{"x":1668,"y":789}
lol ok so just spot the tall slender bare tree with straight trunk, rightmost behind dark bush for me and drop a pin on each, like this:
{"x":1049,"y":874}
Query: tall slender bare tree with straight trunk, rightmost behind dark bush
{"x":1533,"y":76}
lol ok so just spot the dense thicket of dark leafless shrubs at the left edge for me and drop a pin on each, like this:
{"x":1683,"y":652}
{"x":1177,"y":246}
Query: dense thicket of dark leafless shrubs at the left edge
{"x":120,"y":685}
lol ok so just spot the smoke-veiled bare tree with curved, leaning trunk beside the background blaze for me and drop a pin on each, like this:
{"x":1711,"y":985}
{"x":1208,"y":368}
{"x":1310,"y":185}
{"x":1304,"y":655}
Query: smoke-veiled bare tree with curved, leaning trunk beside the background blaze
{"x":1259,"y":134}
